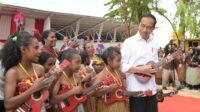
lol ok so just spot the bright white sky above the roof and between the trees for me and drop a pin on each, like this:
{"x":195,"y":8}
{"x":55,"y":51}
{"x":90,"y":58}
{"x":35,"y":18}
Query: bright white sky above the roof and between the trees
{"x":96,"y":8}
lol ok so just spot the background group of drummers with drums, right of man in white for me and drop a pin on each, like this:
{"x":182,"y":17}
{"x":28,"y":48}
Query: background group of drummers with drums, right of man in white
{"x":187,"y":64}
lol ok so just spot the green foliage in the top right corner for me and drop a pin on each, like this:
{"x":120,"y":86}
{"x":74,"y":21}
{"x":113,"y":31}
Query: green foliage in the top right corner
{"x":186,"y":18}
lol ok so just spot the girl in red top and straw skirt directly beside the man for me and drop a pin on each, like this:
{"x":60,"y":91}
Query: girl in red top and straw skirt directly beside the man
{"x":112,"y":58}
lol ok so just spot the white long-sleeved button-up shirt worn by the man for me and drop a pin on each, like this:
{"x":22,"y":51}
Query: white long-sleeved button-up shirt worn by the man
{"x":137,"y":51}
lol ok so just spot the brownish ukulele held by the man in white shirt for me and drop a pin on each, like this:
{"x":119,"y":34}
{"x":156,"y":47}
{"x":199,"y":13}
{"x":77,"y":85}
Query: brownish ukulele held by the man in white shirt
{"x":144,"y":78}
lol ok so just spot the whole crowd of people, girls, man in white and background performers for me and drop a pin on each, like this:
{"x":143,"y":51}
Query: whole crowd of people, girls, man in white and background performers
{"x":117,"y":79}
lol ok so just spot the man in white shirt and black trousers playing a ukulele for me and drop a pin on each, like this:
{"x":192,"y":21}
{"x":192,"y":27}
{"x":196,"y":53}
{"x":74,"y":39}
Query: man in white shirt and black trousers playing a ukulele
{"x":138,"y":50}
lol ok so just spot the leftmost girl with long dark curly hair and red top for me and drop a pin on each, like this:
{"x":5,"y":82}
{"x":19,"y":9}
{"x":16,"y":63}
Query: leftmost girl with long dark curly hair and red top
{"x":24,"y":79}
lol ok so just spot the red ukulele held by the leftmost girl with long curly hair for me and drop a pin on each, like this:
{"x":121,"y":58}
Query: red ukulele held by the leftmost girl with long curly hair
{"x":35,"y":101}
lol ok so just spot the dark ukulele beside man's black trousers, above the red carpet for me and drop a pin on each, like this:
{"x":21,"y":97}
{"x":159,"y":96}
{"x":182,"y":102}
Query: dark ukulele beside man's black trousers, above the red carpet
{"x":160,"y":95}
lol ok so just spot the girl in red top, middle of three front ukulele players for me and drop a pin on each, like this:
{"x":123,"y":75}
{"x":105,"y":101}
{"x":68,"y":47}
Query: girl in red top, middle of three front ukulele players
{"x":68,"y":84}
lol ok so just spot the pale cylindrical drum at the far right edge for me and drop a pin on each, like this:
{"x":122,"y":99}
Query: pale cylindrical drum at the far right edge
{"x":192,"y":75}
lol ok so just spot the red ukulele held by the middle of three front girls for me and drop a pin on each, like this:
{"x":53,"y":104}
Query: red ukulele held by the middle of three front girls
{"x":72,"y":102}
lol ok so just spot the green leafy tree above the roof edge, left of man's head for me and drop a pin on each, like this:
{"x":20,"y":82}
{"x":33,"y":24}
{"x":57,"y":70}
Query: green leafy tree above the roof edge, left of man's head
{"x":128,"y":11}
